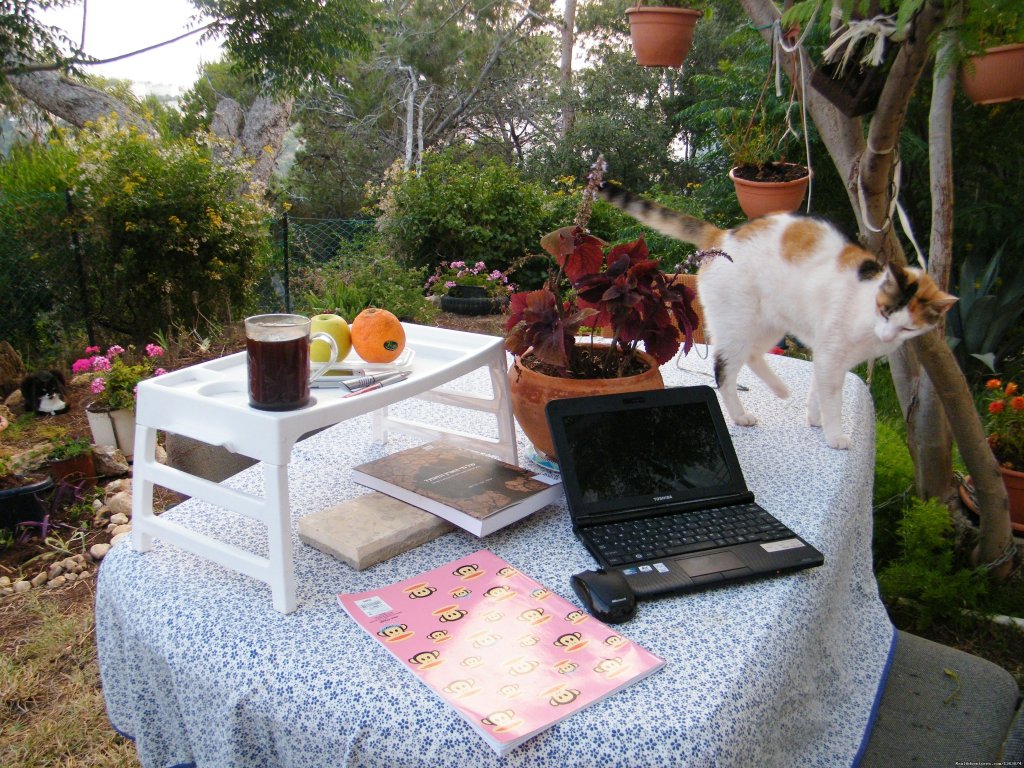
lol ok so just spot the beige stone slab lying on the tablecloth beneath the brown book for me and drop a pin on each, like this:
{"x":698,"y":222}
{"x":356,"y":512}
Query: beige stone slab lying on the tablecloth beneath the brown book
{"x":370,"y":529}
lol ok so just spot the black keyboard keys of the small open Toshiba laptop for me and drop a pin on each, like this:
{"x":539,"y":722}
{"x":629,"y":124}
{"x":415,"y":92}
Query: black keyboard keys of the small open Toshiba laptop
{"x":684,"y":533}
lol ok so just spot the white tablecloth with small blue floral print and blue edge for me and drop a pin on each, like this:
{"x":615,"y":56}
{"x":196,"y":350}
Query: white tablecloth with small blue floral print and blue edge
{"x":200,"y":669}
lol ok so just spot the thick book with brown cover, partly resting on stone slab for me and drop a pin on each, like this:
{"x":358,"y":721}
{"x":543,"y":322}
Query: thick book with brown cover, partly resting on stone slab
{"x":474,"y":491}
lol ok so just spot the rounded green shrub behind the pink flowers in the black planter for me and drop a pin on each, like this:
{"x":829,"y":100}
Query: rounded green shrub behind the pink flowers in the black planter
{"x":470,"y":211}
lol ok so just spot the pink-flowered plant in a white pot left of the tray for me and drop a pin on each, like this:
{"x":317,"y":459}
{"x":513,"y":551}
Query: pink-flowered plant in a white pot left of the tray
{"x":115,"y":378}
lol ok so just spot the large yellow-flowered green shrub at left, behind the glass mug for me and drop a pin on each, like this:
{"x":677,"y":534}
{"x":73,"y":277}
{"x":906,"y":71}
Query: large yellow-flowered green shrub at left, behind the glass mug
{"x":172,"y":230}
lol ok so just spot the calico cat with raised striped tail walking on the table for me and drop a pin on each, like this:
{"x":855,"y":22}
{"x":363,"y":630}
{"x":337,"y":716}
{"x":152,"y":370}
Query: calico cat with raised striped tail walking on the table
{"x":786,"y":274}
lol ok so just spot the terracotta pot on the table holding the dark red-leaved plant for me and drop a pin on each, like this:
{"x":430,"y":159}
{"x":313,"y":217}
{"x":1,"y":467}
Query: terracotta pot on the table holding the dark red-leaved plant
{"x":531,"y":392}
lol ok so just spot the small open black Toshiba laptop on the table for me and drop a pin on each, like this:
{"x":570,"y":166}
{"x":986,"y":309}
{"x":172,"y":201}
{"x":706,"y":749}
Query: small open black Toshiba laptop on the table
{"x":656,"y":492}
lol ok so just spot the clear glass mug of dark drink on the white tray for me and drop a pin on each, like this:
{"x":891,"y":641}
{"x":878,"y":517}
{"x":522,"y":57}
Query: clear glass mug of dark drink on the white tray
{"x":278,"y":347}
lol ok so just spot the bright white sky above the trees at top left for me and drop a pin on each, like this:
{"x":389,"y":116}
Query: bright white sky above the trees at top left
{"x":117,"y":27}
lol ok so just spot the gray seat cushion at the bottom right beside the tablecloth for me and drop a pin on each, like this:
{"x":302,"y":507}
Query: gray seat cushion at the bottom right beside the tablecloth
{"x":941,"y":706}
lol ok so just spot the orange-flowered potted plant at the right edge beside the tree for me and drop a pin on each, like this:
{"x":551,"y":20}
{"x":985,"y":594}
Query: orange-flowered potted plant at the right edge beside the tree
{"x":1005,"y":423}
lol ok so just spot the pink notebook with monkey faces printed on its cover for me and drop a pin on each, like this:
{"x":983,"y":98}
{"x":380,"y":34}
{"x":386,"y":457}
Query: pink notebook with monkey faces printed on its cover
{"x":508,"y":655}
